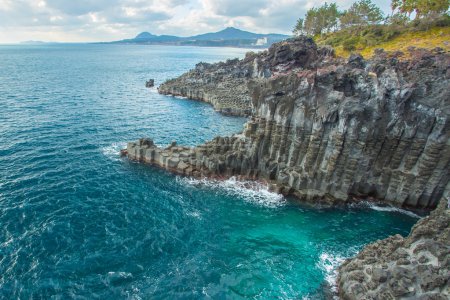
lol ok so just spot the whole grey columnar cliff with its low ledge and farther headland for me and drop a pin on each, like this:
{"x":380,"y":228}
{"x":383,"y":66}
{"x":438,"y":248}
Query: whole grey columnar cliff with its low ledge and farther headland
{"x":323,"y":128}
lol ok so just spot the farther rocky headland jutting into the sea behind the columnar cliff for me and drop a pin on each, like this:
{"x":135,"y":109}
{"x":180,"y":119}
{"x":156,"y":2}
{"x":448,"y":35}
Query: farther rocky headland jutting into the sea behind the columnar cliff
{"x":225,"y":84}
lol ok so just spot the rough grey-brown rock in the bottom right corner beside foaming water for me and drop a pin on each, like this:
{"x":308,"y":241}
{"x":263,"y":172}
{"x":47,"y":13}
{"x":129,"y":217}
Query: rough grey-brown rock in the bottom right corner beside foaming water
{"x":416,"y":267}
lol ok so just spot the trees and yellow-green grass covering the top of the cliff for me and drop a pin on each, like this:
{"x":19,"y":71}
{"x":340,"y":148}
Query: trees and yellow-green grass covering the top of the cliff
{"x":363,"y":27}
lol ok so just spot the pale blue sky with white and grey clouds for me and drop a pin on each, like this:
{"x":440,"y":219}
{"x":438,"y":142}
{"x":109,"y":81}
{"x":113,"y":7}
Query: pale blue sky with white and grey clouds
{"x":109,"y":20}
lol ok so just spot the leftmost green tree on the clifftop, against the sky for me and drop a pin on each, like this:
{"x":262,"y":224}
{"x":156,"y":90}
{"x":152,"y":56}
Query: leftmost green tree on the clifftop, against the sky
{"x":318,"y":20}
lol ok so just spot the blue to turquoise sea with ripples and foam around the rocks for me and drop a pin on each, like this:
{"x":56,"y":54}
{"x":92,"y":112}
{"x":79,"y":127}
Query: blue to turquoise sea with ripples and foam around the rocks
{"x":77,"y":221}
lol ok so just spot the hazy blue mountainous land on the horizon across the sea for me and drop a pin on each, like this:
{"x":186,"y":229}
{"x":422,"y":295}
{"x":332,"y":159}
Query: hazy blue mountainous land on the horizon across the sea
{"x":229,"y":37}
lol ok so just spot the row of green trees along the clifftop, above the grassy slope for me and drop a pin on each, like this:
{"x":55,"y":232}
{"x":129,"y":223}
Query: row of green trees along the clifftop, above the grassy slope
{"x":328,"y":18}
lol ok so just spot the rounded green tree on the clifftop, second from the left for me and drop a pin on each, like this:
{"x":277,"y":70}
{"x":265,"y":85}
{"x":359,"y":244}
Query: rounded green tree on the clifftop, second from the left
{"x":361,"y":13}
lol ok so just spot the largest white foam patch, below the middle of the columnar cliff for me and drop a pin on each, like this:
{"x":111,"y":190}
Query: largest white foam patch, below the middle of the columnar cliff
{"x":250,"y":191}
